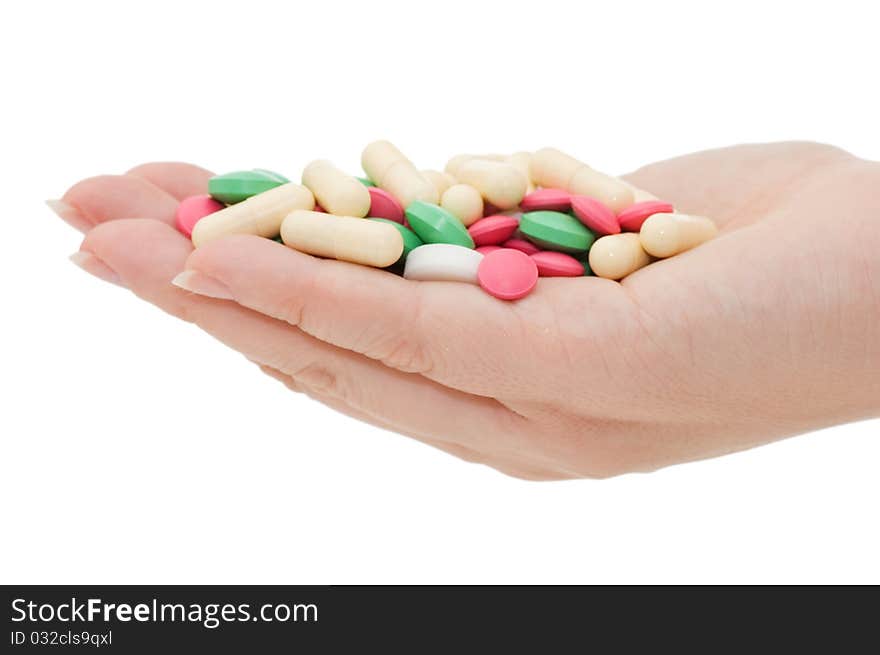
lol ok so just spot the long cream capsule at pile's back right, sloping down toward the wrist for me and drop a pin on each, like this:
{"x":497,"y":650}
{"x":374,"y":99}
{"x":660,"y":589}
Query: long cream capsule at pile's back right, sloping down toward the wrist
{"x":554,"y":169}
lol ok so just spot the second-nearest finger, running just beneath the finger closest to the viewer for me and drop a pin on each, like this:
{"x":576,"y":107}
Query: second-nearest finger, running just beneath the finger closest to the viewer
{"x":146,"y":255}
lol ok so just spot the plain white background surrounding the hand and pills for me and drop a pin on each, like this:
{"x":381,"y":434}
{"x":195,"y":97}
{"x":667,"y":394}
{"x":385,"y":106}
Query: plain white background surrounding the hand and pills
{"x":136,"y":449}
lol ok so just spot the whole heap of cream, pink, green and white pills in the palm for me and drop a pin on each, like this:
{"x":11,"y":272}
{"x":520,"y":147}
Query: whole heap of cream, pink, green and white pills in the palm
{"x":494,"y":220}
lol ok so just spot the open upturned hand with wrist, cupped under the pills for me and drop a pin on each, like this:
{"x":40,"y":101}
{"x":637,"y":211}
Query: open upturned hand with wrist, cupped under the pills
{"x":771,"y":330}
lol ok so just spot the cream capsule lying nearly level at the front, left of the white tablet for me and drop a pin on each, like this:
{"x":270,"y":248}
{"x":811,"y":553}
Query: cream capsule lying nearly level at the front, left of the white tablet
{"x":347,"y":238}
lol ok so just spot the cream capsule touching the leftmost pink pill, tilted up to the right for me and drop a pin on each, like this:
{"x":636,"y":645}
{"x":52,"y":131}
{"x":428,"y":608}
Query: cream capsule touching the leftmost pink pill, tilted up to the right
{"x":261,"y":214}
